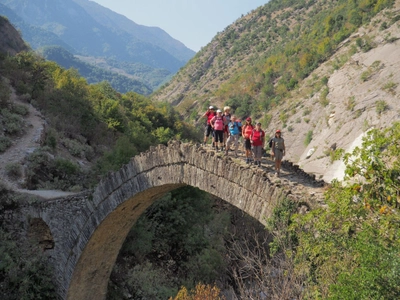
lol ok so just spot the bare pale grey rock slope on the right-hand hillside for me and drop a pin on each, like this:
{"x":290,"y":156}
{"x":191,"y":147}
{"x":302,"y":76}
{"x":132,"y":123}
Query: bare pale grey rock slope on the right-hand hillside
{"x":360,"y":94}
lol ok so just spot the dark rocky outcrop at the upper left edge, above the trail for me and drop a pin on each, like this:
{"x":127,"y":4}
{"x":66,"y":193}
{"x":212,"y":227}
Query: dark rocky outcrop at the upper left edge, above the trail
{"x":11,"y":41}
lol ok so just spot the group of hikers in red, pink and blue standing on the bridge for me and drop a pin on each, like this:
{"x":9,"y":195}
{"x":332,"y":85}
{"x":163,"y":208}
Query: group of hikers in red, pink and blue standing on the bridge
{"x":226,"y":130}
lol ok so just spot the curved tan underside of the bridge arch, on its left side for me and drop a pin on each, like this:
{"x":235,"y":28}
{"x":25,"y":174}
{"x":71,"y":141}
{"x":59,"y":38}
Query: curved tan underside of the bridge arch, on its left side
{"x":92,"y":272}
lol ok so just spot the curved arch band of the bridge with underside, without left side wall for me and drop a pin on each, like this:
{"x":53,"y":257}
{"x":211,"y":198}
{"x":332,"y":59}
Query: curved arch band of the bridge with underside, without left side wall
{"x":123,"y":196}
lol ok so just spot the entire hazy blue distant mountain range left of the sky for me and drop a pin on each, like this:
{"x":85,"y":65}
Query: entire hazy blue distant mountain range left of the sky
{"x":89,"y":30}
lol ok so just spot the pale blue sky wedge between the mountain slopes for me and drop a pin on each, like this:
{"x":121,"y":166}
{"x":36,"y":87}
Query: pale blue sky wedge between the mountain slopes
{"x":192,"y":22}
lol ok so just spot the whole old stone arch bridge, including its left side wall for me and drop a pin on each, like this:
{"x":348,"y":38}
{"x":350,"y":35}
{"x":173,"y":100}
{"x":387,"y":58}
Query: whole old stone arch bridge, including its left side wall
{"x":86,"y":231}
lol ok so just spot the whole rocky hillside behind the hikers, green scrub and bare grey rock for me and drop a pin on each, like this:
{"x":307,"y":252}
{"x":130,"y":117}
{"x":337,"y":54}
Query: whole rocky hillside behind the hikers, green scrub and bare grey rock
{"x":323,"y":84}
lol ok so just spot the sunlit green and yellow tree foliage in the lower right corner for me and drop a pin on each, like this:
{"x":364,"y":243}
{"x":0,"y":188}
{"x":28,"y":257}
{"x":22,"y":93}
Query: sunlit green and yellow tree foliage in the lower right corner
{"x":350,"y":249}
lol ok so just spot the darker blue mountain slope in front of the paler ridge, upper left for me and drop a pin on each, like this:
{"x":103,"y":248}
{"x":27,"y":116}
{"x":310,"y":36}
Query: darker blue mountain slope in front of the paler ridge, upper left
{"x":78,"y":27}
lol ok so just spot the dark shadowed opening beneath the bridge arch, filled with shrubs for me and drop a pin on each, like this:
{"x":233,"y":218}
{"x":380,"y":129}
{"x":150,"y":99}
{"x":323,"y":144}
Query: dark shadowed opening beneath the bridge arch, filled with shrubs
{"x":187,"y":237}
